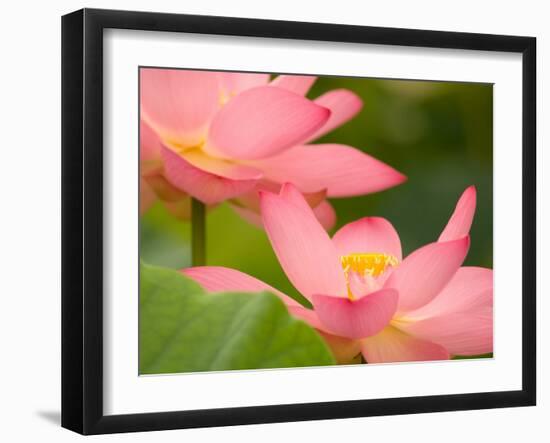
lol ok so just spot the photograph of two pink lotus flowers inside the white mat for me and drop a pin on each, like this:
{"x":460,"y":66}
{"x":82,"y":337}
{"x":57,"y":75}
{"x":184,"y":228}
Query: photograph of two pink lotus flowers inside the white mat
{"x":294,"y":220}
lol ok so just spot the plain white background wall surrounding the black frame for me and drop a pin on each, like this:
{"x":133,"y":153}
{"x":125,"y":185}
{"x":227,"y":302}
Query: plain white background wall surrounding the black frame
{"x":30,"y":218}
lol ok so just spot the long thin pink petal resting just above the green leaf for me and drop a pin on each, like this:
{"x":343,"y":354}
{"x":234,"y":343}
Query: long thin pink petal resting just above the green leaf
{"x":220,"y":279}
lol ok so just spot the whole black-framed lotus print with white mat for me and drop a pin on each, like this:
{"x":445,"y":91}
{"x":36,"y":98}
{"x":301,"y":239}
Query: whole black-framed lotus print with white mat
{"x":270,"y":221}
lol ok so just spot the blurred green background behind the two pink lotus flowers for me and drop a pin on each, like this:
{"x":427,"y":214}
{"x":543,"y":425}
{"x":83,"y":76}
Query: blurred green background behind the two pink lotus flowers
{"x":439,"y":134}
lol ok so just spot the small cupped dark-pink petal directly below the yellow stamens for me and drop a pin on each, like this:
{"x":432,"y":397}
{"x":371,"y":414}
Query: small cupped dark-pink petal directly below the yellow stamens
{"x":358,"y":318}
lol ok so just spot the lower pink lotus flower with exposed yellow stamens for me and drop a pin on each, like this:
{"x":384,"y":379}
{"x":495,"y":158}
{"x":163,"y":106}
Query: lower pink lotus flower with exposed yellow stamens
{"x":366,"y":298}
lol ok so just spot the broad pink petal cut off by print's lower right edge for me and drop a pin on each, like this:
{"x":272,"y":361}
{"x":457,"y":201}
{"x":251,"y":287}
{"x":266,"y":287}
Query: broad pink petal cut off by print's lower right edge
{"x":460,"y":318}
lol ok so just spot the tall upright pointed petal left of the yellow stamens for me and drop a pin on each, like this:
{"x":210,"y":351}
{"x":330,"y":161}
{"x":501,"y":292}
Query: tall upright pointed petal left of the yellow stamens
{"x":304,"y":249}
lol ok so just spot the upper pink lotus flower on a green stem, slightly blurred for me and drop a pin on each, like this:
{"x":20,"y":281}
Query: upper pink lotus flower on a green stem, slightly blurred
{"x":224,"y":136}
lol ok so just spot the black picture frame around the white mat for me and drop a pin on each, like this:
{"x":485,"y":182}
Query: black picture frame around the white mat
{"x":82,"y":221}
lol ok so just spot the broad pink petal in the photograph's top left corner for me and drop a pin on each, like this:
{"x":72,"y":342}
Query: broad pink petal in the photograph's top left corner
{"x":178,"y":104}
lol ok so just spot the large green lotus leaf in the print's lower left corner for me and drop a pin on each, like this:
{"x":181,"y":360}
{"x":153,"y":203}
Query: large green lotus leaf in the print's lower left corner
{"x":185,"y":329}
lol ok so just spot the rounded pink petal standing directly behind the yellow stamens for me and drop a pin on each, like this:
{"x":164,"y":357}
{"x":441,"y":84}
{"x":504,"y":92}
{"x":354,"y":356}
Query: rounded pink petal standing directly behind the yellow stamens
{"x":368,"y":235}
